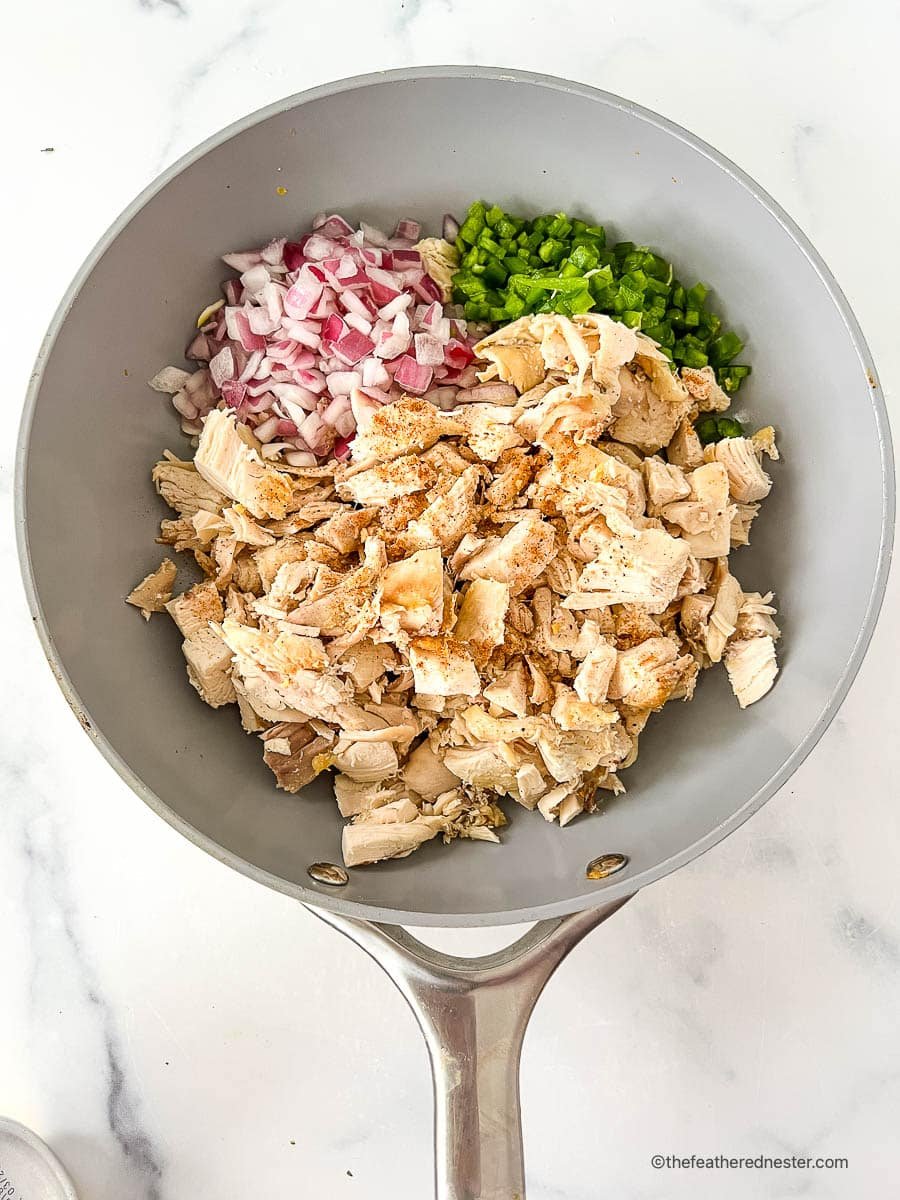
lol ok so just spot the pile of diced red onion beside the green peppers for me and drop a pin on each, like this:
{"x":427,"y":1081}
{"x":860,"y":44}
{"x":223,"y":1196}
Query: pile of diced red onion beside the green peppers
{"x":305,"y":313}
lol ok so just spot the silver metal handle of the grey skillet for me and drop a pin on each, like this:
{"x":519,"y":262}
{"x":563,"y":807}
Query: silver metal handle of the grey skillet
{"x":475,"y":1013}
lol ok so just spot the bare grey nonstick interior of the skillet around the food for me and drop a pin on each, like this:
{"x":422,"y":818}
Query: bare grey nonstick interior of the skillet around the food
{"x":421,"y":143}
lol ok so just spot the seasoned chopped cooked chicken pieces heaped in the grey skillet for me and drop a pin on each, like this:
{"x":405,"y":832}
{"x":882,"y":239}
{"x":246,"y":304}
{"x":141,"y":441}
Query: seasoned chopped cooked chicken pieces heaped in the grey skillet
{"x":479,"y":605}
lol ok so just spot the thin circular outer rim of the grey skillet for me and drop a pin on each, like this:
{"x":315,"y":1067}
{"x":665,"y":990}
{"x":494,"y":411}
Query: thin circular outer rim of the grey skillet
{"x":614,"y":890}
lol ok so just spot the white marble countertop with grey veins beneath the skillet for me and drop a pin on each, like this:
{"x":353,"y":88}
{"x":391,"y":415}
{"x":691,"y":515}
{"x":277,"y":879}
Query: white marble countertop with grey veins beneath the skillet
{"x":175,"y":1030}
